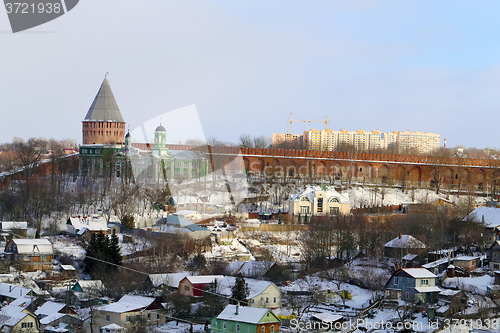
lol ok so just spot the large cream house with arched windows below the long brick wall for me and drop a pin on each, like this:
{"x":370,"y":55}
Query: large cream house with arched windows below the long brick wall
{"x":317,"y":201}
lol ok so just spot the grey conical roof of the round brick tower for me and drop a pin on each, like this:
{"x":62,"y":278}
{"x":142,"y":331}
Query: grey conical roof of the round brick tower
{"x":104,"y":107}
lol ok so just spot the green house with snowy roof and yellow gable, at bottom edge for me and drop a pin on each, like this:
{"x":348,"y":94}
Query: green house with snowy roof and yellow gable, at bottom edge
{"x":236,"y":318}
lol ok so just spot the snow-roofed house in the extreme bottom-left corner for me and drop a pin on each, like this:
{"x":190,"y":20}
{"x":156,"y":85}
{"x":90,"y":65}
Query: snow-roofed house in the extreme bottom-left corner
{"x":17,"y":319}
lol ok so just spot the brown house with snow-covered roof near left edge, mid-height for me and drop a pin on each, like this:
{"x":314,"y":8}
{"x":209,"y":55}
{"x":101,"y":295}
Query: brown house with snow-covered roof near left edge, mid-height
{"x":30,"y":254}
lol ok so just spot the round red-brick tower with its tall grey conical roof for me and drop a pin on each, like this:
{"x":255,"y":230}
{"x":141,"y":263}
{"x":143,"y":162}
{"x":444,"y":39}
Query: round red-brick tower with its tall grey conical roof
{"x":103,"y":123}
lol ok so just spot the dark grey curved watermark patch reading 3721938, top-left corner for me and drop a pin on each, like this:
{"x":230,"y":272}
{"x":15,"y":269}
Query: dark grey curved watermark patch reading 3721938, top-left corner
{"x":26,"y":14}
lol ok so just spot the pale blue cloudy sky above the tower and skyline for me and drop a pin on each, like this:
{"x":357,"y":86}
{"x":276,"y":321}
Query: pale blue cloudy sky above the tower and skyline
{"x":432,"y":66}
